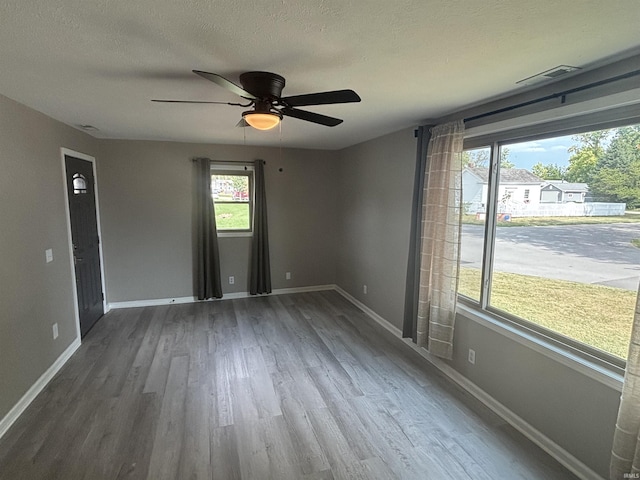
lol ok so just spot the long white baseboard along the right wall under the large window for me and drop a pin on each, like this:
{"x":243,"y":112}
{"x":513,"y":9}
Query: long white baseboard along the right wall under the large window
{"x":556,"y":451}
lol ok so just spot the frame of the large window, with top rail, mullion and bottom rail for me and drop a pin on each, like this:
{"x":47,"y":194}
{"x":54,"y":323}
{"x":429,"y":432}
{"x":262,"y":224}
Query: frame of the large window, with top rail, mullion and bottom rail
{"x":586,"y":354}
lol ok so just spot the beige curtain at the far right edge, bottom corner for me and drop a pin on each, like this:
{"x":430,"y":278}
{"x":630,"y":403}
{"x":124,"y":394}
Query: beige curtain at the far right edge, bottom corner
{"x":625,"y":456}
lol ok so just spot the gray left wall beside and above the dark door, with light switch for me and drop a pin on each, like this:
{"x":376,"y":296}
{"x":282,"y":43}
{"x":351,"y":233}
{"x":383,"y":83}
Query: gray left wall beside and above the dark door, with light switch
{"x":33,"y":294}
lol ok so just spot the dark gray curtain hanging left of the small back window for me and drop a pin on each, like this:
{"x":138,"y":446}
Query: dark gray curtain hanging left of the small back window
{"x":209,"y":284}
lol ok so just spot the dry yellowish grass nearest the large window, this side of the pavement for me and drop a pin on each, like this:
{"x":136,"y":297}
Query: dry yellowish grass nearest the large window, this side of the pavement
{"x":596,"y":315}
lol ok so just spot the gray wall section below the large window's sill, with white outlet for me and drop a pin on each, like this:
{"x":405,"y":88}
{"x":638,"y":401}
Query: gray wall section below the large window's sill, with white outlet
{"x":576,"y":412}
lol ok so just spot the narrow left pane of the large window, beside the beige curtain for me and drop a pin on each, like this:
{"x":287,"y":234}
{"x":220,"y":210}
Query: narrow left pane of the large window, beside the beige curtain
{"x":474,"y":199}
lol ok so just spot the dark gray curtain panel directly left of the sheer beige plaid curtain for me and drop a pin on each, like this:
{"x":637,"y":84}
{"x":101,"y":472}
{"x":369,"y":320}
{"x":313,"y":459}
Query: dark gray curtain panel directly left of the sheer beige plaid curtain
{"x":409,"y":329}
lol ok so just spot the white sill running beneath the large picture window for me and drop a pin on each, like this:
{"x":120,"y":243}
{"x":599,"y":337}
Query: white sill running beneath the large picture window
{"x":609,"y":375}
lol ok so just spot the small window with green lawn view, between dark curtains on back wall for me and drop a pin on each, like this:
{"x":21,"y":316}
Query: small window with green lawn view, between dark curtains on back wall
{"x":232,"y":194}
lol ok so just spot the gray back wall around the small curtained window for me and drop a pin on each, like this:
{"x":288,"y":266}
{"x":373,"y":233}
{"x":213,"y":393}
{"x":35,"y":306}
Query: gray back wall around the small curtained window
{"x":146,"y":194}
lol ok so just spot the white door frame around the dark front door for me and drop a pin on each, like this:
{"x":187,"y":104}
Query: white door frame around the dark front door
{"x":82,"y":156}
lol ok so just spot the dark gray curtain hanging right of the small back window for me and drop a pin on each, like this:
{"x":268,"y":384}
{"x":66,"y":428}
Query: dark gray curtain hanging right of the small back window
{"x":260,"y":272}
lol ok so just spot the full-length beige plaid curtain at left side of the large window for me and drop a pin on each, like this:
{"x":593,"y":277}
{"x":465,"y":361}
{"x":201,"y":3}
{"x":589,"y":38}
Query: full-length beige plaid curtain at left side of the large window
{"x":440,"y":255}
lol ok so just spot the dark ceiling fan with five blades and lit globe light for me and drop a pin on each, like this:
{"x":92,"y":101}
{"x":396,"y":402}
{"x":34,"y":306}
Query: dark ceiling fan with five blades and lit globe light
{"x":263,"y":91}
